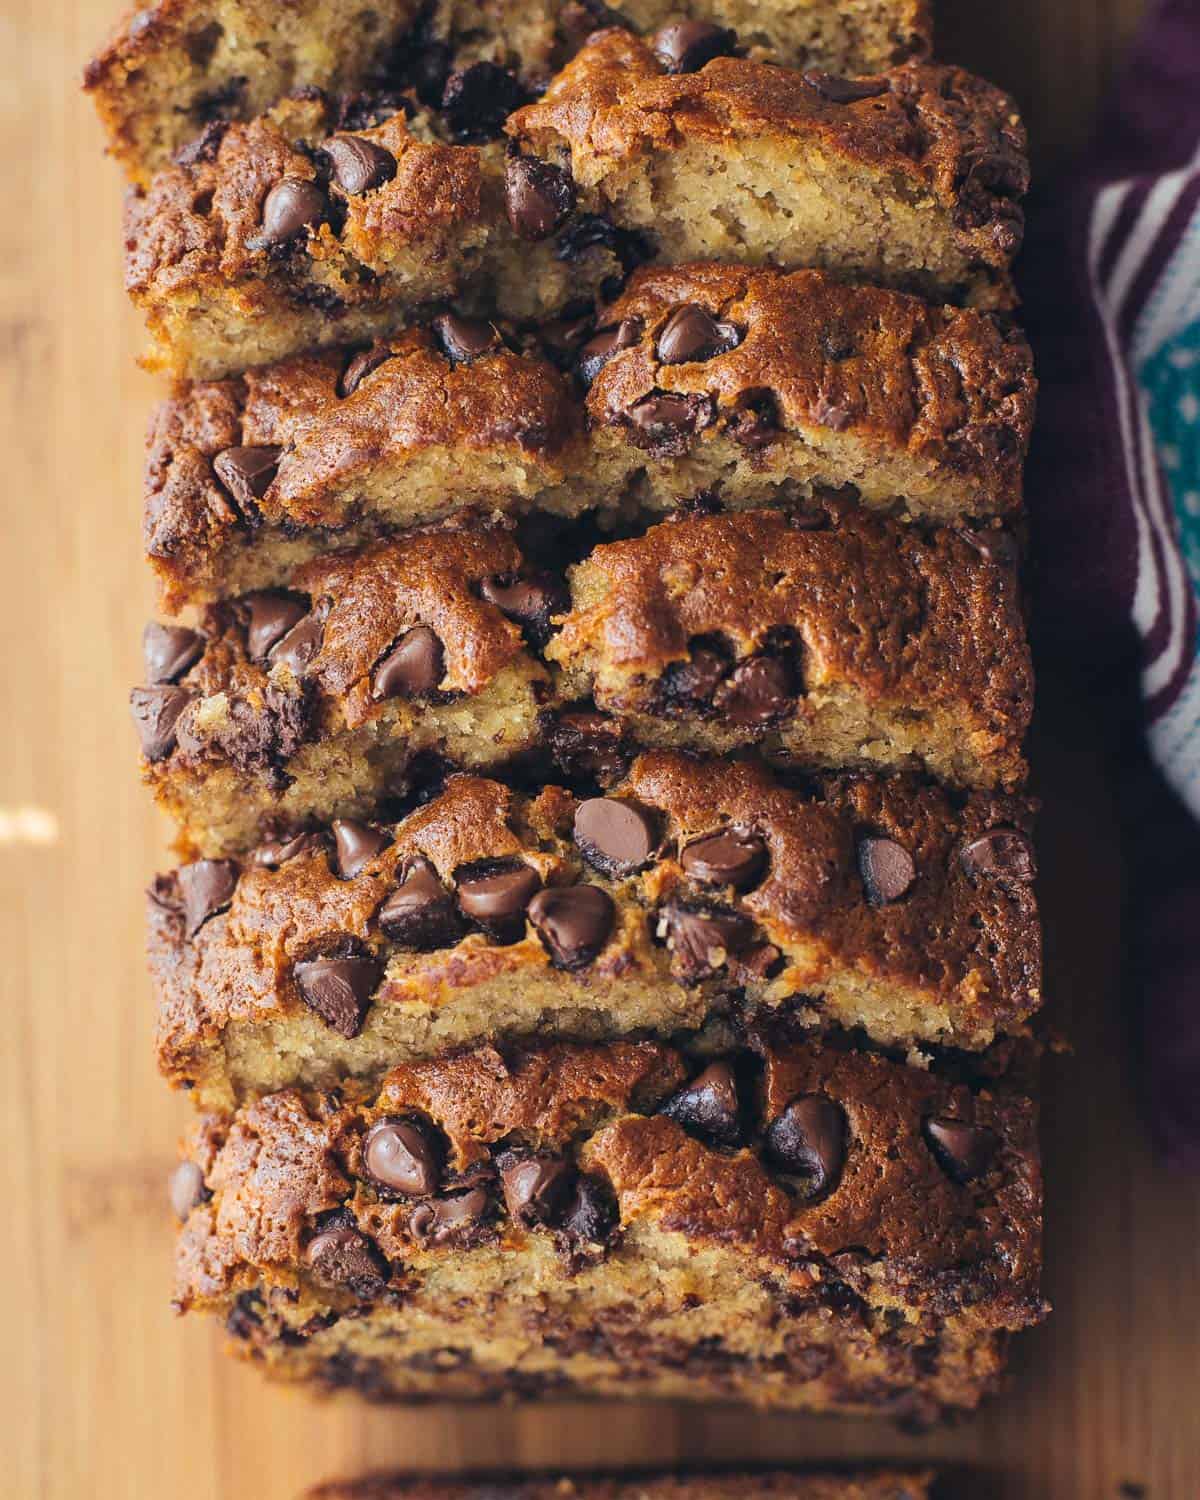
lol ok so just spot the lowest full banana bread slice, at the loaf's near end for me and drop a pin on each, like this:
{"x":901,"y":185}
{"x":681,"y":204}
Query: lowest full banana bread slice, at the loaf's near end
{"x":794,"y":1228}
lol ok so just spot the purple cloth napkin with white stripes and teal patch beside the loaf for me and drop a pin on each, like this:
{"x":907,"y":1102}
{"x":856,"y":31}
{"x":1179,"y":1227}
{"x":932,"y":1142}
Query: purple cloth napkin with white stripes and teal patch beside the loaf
{"x":1114,"y":305}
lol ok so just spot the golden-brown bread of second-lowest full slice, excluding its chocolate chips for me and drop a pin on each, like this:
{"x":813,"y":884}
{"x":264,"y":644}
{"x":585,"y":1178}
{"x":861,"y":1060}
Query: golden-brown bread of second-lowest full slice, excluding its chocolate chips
{"x":956,"y":961}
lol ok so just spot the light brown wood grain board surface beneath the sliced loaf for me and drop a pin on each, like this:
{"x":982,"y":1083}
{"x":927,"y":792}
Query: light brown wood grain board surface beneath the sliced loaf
{"x":104,"y":1393}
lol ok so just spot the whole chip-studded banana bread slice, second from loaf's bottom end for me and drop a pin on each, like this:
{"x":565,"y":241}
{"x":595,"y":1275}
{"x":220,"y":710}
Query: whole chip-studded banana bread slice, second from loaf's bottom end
{"x":695,"y":892}
